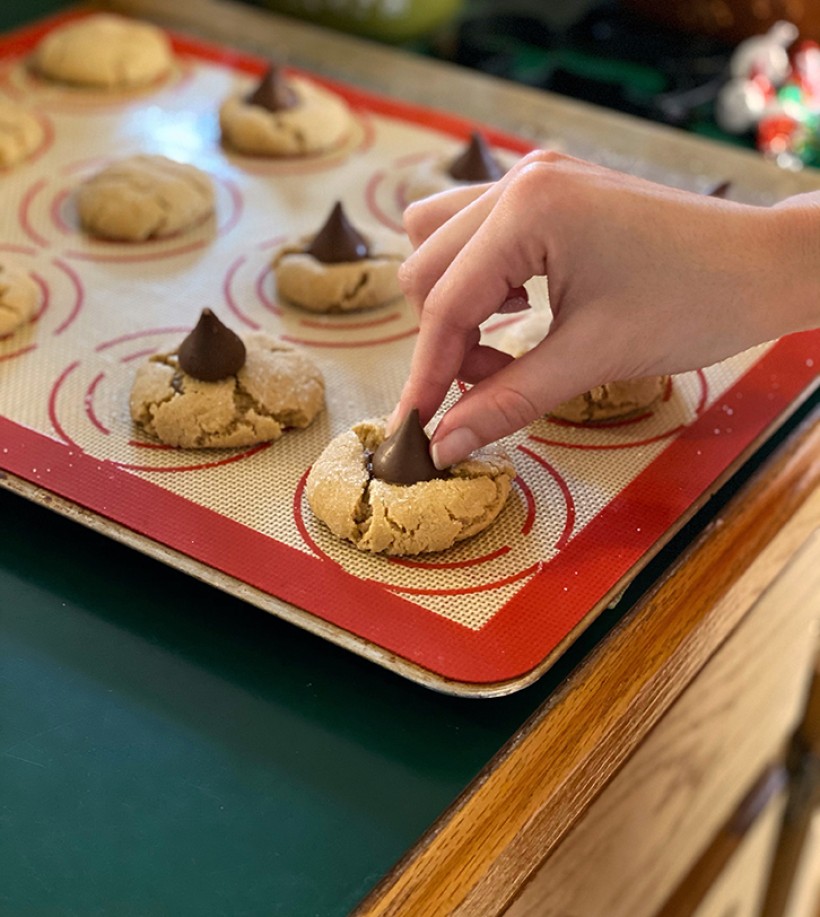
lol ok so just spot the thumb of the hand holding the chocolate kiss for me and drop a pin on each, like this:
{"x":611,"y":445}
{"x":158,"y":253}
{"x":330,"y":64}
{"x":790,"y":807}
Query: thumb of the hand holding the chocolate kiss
{"x":522,"y":391}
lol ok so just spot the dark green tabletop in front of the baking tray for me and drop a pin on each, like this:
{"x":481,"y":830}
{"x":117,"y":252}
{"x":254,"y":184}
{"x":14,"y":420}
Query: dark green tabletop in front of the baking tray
{"x":169,"y":749}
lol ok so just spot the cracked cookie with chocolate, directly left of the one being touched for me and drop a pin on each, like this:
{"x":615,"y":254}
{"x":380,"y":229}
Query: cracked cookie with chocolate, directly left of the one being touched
{"x":277,"y":387}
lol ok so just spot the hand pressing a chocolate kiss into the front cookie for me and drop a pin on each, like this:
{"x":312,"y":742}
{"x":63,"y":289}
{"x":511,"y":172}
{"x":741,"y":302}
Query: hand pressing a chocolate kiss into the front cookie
{"x":643,"y":279}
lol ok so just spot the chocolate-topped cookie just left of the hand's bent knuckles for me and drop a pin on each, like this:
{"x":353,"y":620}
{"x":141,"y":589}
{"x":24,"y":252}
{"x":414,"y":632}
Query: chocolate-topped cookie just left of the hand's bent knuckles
{"x":338,"y":269}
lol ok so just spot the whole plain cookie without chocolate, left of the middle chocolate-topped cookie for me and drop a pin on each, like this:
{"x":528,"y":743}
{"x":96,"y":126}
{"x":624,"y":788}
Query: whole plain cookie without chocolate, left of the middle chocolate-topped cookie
{"x":144,"y":197}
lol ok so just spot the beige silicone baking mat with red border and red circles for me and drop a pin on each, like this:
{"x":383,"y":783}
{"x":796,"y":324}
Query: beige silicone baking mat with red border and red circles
{"x":589,"y":506}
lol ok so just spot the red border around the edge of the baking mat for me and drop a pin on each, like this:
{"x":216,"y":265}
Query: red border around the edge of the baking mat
{"x":555,"y":600}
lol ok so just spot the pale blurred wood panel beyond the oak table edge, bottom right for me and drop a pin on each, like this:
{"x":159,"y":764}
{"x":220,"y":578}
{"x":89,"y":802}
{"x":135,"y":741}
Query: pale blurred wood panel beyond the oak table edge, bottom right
{"x":639,"y":839}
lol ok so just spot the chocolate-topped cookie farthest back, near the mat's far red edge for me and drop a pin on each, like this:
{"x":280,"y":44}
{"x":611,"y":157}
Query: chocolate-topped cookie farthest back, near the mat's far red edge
{"x":285,"y":116}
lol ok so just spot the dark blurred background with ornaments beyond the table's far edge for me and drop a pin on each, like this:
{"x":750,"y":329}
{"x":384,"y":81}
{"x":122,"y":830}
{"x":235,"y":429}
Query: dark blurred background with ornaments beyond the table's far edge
{"x":670,"y":61}
